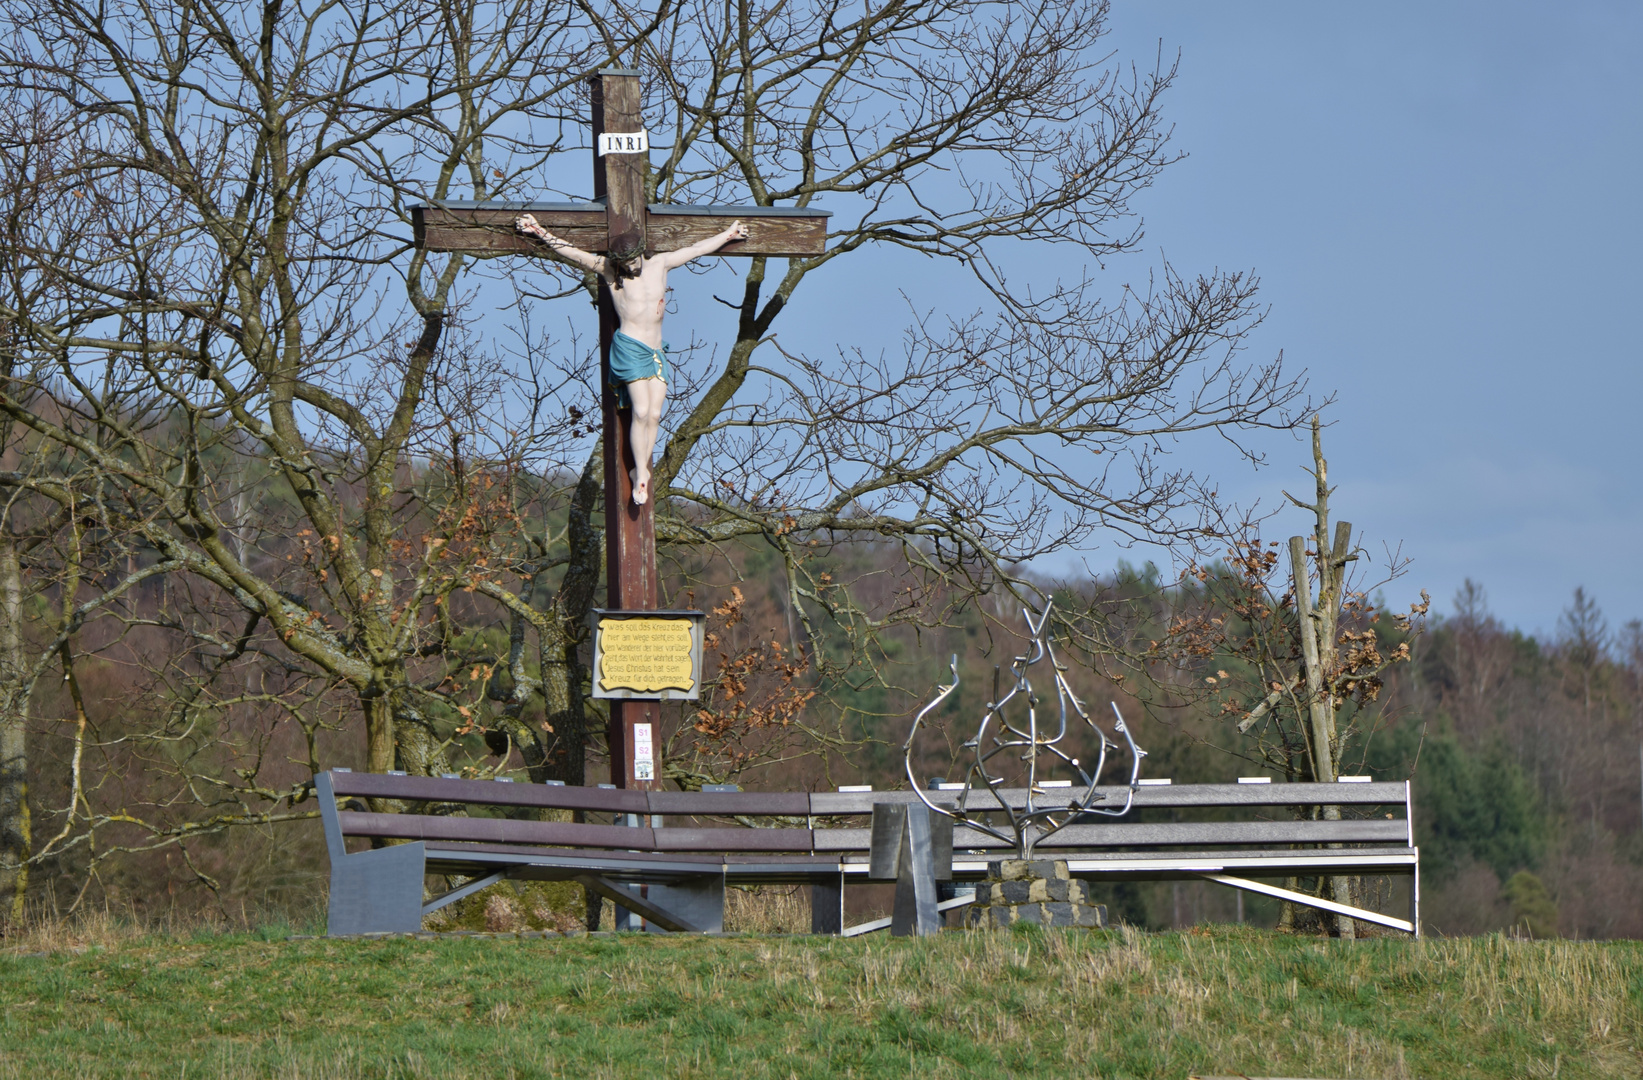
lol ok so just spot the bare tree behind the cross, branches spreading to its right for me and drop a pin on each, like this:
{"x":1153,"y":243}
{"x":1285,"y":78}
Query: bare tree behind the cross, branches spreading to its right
{"x":985,"y":438}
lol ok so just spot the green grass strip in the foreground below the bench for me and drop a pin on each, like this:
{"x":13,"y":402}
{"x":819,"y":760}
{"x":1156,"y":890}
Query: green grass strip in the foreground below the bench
{"x":962,"y":1005}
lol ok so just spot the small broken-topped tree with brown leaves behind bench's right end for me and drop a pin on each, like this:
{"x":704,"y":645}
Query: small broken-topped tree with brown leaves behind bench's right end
{"x":1287,"y":653}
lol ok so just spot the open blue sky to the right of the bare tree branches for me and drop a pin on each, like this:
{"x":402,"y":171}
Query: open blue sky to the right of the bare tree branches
{"x":1443,"y":206}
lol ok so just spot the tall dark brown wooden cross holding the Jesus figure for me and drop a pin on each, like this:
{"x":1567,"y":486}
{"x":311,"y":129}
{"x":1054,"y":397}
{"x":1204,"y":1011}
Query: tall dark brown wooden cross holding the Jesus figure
{"x":620,"y":221}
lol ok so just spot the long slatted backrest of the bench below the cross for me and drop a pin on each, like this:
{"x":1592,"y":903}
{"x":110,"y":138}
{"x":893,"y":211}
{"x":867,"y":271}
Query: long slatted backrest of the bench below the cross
{"x":1389,"y":828}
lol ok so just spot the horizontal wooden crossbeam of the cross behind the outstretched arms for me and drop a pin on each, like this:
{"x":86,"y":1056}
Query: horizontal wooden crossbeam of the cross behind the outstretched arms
{"x":489,"y":228}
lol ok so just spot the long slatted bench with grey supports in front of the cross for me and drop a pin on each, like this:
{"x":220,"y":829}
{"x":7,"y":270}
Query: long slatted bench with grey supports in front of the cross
{"x":673,"y":875}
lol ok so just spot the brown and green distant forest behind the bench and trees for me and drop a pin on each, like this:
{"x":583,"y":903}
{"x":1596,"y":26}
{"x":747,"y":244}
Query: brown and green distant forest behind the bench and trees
{"x":1524,"y":754}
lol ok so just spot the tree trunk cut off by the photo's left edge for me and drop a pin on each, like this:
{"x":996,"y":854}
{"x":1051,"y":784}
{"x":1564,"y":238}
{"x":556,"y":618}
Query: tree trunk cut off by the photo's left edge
{"x":16,"y":833}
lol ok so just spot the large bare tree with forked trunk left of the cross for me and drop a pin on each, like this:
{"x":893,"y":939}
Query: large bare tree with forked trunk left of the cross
{"x":241,"y":182}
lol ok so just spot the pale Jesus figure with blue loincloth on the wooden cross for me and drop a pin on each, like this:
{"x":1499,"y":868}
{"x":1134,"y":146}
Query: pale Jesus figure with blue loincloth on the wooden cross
{"x":638,"y":353}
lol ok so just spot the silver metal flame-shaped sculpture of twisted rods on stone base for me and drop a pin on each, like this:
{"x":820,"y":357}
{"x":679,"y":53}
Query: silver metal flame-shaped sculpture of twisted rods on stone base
{"x":1036,"y":815}
